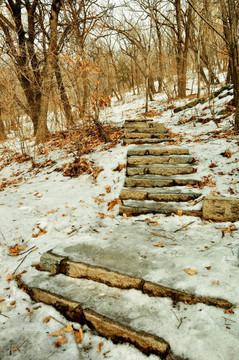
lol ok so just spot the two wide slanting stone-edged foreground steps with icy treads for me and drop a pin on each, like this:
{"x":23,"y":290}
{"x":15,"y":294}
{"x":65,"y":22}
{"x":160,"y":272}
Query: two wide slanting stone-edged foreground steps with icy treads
{"x":114,"y":295}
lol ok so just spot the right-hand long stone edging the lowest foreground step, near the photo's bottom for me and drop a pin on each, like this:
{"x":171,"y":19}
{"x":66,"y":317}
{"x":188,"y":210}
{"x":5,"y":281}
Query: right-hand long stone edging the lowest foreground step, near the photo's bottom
{"x":109,"y":328}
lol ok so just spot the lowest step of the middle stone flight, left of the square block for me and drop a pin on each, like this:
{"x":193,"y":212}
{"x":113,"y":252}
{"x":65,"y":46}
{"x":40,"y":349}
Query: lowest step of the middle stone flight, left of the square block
{"x":137,"y":207}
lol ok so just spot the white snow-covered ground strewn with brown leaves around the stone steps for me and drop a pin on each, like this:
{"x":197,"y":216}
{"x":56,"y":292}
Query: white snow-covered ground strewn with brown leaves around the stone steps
{"x":41,"y":208}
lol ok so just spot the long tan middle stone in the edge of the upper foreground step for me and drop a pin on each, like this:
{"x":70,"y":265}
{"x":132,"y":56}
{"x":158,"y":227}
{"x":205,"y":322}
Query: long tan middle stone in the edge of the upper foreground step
{"x":100,"y":274}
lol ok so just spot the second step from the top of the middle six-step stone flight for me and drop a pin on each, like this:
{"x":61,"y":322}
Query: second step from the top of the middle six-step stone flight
{"x":151,"y":160}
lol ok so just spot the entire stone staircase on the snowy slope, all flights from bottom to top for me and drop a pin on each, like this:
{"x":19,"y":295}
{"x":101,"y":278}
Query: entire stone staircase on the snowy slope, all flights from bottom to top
{"x":97,"y":283}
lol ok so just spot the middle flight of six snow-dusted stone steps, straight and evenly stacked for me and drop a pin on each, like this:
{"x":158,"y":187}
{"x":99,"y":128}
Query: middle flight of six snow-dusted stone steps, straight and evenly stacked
{"x":159,"y":180}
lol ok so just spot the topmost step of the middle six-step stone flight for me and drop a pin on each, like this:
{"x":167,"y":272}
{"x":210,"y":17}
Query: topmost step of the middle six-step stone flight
{"x":156,"y":151}
